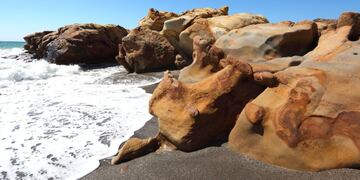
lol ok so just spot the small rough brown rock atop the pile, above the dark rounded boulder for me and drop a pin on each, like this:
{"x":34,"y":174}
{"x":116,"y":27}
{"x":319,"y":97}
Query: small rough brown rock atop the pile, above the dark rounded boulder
{"x":155,"y":19}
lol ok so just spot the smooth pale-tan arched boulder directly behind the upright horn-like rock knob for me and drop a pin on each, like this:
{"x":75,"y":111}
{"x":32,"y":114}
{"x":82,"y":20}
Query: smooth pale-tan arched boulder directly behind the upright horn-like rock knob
{"x":215,"y":27}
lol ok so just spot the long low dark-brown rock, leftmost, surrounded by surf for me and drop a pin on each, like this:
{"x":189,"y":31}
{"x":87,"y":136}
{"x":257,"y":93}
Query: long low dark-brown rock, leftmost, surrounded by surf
{"x":78,"y":43}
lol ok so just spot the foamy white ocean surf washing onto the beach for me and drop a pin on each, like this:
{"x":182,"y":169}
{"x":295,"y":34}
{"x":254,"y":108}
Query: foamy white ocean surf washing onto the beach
{"x":57,"y":121}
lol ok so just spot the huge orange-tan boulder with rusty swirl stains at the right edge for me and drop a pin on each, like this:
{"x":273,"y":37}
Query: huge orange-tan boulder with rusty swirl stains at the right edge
{"x":311,"y":119}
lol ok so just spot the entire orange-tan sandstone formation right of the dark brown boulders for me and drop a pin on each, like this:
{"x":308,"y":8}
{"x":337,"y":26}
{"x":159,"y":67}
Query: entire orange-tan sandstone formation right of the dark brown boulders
{"x":279,"y":92}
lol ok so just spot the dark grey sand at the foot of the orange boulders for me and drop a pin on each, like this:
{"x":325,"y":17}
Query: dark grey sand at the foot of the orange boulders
{"x":213,"y":162}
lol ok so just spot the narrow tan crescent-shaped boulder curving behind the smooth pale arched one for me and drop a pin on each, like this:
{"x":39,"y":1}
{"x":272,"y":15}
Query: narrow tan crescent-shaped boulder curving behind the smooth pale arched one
{"x":173,"y":27}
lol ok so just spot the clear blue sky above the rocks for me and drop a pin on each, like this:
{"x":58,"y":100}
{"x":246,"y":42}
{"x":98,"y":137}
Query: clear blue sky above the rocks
{"x":21,"y":17}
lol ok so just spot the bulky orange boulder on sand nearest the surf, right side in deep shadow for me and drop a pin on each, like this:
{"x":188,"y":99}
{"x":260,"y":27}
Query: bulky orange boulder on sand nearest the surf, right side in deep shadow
{"x":194,"y":115}
